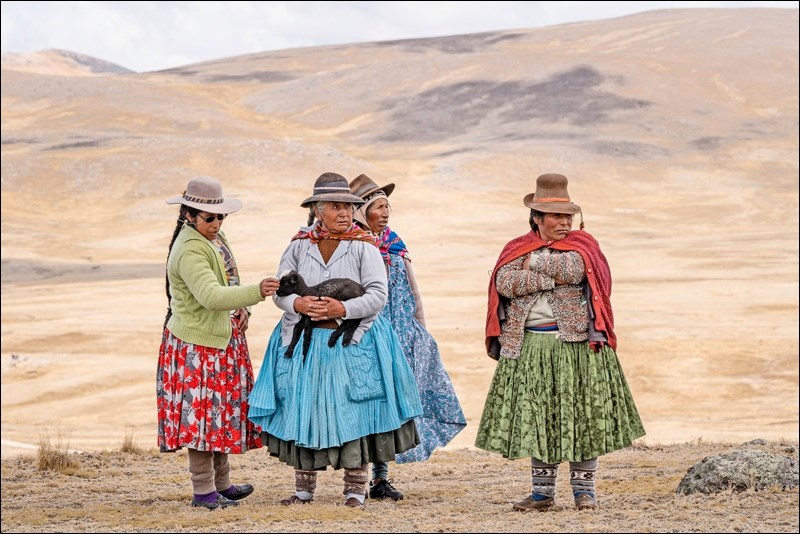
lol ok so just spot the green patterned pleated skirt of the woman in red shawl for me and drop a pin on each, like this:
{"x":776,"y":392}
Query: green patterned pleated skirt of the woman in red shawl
{"x":558,"y":402}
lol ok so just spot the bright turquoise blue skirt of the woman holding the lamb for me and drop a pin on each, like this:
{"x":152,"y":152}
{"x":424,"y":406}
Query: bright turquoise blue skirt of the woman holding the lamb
{"x":334,"y":395}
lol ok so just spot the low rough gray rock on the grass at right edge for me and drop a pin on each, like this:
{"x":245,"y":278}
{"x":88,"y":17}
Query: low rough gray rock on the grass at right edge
{"x":740,"y":471}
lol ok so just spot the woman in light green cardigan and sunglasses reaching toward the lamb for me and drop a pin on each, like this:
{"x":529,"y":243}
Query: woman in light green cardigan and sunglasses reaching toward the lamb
{"x":204,"y":372}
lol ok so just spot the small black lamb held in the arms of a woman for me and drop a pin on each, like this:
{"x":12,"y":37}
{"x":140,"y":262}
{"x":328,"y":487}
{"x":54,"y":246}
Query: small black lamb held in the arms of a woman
{"x":338,"y":288}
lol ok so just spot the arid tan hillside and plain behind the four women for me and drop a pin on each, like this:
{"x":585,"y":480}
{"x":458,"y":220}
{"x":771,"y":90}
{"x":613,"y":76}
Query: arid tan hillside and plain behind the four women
{"x":677,"y":129}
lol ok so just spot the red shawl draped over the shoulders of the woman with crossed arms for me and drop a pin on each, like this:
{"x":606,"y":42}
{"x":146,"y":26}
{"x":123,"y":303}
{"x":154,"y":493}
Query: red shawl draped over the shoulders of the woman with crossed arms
{"x":598,"y":275}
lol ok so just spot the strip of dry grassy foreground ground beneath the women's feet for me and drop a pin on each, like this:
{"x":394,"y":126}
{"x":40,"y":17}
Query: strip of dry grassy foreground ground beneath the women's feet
{"x":462,"y":490}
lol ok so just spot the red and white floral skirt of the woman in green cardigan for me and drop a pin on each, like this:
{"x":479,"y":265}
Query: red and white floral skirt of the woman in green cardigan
{"x":202,"y":396}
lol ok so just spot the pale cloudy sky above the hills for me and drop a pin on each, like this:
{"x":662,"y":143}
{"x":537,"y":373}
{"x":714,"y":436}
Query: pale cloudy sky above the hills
{"x":147,"y":36}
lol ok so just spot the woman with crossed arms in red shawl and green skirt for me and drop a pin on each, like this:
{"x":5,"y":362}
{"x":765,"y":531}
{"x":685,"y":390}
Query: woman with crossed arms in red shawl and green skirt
{"x":558,"y":393}
